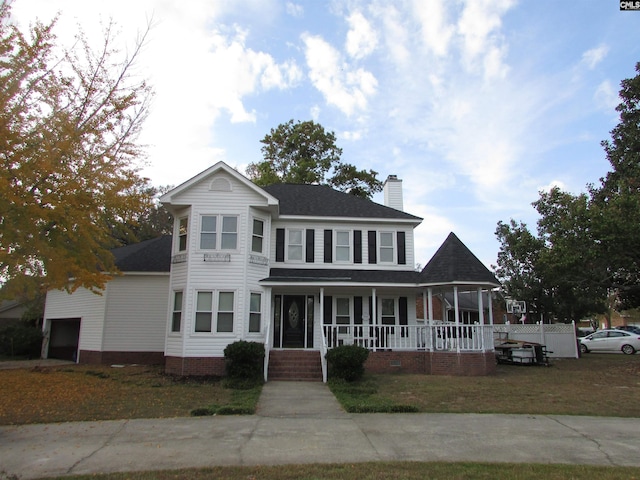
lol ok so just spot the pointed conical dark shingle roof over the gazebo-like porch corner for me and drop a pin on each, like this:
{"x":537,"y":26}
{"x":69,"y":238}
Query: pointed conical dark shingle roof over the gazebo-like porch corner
{"x":454,"y":262}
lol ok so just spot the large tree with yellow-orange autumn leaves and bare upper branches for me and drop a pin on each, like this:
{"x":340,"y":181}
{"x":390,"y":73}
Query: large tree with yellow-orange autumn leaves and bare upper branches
{"x":68,"y":152}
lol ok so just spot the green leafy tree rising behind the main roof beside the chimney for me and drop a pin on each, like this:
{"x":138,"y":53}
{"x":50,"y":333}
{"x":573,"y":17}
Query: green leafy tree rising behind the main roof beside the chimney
{"x":304,"y":153}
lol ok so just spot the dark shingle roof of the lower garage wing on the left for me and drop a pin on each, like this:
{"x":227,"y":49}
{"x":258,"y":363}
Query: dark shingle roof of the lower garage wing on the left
{"x":149,"y":256}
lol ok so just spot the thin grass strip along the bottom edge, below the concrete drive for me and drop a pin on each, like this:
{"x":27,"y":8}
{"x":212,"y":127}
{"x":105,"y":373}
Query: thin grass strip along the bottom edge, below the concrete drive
{"x":383,"y":470}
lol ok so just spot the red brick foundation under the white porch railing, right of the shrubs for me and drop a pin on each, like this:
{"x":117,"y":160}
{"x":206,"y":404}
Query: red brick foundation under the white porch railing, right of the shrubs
{"x":432,"y":363}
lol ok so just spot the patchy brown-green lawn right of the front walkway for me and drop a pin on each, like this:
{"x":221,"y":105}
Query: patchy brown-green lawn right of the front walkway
{"x":596,"y":384}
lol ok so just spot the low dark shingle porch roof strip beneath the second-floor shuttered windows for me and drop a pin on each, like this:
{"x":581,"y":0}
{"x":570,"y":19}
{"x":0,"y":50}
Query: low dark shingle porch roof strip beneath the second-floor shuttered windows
{"x":335,"y":275}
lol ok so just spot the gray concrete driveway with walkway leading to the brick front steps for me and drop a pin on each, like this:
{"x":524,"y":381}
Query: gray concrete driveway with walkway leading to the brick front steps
{"x":302,"y":423}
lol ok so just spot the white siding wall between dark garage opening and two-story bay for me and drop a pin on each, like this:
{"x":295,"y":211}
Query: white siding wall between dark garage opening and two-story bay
{"x":136,"y":315}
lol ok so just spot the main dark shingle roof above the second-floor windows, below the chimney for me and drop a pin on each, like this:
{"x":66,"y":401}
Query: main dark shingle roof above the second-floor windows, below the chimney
{"x":323,"y":201}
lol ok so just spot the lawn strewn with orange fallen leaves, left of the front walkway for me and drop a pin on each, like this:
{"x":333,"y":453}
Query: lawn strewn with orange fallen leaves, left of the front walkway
{"x":92,"y":392}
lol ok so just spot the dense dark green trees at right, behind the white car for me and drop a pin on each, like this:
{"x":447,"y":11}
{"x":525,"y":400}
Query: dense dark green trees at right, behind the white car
{"x":586,"y":256}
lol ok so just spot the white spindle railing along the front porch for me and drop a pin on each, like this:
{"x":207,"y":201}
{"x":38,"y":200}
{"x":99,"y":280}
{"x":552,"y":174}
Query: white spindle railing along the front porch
{"x":440,"y":337}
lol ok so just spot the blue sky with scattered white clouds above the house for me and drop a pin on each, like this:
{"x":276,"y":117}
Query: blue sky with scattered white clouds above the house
{"x":476,"y":105}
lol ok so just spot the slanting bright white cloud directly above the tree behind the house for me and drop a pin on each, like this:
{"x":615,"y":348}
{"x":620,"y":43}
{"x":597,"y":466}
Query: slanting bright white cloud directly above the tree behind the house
{"x":347,"y":89}
